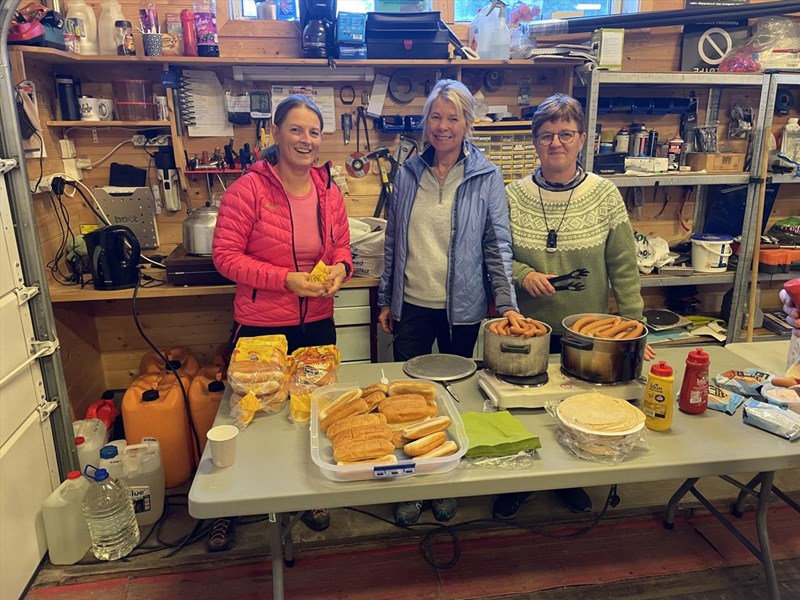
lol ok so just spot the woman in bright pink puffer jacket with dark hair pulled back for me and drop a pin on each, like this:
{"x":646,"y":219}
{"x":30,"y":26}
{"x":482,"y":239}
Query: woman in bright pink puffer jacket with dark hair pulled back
{"x":274,"y":224}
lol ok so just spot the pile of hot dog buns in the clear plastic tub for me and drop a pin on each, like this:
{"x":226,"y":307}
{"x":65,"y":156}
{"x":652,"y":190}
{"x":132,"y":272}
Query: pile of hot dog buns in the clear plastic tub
{"x":366,"y":425}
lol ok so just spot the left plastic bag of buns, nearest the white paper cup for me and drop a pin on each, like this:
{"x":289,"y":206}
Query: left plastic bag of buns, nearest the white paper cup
{"x":257,"y":375}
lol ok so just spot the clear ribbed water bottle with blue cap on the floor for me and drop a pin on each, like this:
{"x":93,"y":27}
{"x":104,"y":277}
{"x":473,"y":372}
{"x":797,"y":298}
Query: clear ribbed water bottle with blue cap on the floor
{"x":108,"y":509}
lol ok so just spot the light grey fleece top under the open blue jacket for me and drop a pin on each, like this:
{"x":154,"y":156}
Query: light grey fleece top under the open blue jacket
{"x":429,"y":231}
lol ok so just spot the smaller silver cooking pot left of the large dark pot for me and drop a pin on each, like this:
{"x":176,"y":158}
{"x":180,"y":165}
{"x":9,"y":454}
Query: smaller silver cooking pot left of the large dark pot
{"x":521,"y":357}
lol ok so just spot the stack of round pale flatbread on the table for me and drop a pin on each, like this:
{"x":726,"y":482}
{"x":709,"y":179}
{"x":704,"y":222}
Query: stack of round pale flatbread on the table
{"x":599,"y":414}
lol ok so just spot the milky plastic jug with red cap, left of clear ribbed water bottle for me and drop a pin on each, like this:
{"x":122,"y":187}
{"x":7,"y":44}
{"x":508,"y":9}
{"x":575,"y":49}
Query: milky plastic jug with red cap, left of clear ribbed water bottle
{"x":65,"y":526}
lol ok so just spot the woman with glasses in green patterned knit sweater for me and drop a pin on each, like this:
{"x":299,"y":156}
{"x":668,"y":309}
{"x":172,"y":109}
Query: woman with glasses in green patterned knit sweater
{"x":564,"y":220}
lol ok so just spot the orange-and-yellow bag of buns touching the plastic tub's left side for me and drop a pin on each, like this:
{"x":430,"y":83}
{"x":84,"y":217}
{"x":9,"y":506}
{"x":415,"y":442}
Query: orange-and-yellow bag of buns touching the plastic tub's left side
{"x":312,"y":367}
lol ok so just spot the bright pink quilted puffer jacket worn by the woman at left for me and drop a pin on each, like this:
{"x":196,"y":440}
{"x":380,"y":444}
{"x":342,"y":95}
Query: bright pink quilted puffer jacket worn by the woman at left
{"x":254,"y":246}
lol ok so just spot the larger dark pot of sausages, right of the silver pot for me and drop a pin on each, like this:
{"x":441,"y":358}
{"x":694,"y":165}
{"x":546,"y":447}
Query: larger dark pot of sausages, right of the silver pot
{"x":600,"y":360}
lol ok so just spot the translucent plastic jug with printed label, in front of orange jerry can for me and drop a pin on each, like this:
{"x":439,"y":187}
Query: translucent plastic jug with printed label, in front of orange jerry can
{"x":144,"y":476}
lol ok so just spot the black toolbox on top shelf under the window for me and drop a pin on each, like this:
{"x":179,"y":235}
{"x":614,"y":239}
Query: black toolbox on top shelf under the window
{"x":406,"y":36}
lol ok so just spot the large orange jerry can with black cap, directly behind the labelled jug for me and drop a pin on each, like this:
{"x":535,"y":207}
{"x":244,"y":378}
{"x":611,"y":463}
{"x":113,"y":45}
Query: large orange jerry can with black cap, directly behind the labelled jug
{"x":154,"y":406}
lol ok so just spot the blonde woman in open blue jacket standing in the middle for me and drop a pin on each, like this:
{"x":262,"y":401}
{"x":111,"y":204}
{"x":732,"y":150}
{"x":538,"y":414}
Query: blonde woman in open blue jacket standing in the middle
{"x":448,"y":246}
